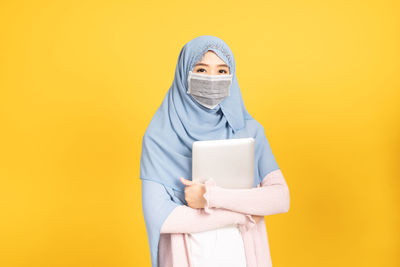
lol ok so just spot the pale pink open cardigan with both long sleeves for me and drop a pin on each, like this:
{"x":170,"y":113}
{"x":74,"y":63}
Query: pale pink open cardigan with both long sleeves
{"x":224,"y":207}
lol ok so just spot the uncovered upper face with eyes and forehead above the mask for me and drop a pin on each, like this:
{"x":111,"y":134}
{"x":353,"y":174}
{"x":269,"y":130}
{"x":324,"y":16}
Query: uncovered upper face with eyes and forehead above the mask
{"x":211,"y":64}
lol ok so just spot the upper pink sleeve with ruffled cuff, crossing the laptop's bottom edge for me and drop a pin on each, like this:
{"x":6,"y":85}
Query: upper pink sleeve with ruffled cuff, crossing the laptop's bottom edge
{"x":270,"y":197}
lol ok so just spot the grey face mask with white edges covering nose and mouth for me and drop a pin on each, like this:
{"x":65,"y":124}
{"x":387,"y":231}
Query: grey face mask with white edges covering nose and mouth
{"x":209,"y":90}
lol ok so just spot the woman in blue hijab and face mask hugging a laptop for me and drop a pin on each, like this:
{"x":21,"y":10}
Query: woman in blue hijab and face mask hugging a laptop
{"x":183,"y":218}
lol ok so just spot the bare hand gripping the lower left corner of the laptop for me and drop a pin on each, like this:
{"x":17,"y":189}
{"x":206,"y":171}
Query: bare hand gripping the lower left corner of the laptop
{"x":194,"y":194}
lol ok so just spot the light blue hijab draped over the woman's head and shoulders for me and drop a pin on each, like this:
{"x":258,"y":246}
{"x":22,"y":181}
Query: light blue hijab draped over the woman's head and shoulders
{"x":178,"y":122}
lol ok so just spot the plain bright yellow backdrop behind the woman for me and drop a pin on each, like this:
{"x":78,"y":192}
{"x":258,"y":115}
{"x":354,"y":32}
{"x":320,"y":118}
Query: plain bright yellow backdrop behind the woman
{"x":80,"y":81}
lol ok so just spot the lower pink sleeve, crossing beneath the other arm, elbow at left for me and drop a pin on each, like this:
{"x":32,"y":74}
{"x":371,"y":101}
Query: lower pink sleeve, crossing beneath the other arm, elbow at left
{"x":184,"y":219}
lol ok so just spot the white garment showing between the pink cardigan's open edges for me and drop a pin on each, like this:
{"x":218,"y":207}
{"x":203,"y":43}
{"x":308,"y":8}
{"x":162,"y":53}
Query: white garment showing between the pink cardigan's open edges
{"x":222,"y":247}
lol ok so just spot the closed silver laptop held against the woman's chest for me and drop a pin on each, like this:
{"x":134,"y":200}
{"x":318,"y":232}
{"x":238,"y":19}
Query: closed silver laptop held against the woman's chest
{"x":230,"y":162}
